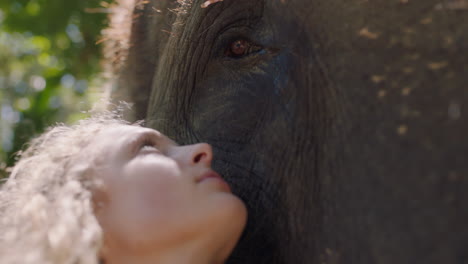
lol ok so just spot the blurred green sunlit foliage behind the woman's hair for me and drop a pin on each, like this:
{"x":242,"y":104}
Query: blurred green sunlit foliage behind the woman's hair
{"x":48,"y":60}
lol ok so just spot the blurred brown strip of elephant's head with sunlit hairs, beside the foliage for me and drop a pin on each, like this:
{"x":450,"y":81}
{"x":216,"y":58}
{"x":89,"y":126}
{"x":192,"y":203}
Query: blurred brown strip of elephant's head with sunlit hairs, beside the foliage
{"x":137,"y":33}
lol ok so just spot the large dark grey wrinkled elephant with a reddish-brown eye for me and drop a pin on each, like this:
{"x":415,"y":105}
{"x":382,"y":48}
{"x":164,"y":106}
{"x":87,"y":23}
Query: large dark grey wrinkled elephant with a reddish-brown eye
{"x":341,"y":124}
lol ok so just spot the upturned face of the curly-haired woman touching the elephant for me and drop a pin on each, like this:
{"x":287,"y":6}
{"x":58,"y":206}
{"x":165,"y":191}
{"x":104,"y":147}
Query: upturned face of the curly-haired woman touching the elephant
{"x":155,"y":194}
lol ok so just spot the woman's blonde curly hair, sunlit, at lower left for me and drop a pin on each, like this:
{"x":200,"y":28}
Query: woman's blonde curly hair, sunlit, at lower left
{"x":46,"y":205}
